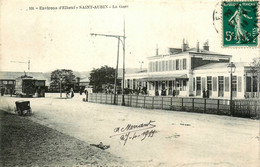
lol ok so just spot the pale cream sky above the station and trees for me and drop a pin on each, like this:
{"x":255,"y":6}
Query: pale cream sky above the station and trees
{"x":60,"y":39}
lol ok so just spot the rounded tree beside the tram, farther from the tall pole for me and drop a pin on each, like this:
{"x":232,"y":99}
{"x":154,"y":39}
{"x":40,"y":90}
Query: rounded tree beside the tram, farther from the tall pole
{"x":64,"y":77}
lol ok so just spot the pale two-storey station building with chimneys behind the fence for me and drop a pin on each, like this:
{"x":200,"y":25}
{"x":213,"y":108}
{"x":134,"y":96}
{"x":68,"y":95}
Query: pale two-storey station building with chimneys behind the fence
{"x":189,"y":72}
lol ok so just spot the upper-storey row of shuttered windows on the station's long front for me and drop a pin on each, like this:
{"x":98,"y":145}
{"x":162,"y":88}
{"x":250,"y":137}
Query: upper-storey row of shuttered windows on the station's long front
{"x":168,"y":65}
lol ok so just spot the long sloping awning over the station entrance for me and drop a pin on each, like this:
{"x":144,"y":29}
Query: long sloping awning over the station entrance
{"x":163,"y":77}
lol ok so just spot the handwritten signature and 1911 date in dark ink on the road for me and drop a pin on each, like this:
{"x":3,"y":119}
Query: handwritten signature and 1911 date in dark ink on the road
{"x":132,"y":132}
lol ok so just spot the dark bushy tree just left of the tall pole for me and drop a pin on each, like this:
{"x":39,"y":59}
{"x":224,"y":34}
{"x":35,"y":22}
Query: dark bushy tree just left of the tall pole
{"x":102,"y":76}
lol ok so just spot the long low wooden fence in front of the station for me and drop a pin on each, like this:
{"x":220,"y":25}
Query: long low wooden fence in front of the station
{"x":240,"y":108}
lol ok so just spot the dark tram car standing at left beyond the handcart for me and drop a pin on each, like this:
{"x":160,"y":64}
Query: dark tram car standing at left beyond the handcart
{"x":27,"y":86}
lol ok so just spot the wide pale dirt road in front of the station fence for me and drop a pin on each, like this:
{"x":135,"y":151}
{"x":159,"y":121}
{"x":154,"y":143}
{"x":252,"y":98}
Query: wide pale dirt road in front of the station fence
{"x":173,"y":138}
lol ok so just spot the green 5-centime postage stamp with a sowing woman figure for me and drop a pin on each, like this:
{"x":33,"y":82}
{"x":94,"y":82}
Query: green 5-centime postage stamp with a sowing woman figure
{"x":240,"y":23}
